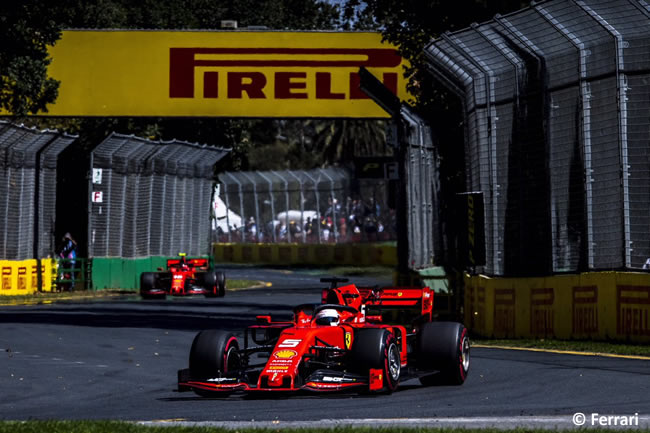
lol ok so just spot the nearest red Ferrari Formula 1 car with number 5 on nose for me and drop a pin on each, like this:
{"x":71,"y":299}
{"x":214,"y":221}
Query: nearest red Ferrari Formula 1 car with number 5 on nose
{"x":358,"y":338}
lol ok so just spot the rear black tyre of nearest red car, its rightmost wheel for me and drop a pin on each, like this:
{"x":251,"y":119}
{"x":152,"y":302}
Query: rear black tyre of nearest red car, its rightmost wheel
{"x":443,"y":346}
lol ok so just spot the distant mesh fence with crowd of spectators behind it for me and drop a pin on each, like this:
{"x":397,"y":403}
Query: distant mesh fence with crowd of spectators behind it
{"x":308,"y":206}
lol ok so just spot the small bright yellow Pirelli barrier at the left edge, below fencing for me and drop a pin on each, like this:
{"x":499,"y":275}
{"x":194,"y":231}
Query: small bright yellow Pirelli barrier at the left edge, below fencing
{"x":21,"y":277}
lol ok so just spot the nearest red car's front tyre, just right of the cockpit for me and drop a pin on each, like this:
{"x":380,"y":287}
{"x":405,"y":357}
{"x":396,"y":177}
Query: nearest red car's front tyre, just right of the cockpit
{"x":377,"y":349}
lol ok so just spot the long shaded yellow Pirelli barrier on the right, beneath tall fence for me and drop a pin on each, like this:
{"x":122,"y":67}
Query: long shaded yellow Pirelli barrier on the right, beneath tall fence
{"x":598,"y":305}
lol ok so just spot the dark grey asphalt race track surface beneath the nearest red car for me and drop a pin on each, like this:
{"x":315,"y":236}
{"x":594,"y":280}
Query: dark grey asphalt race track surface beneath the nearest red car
{"x":117,"y":359}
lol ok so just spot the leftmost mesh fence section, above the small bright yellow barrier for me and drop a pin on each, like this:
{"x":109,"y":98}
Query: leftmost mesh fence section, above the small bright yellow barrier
{"x":28,"y":179}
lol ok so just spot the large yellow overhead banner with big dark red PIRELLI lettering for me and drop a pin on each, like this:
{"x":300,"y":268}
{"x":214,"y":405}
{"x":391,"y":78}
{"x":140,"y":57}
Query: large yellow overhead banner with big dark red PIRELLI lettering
{"x":220,"y":73}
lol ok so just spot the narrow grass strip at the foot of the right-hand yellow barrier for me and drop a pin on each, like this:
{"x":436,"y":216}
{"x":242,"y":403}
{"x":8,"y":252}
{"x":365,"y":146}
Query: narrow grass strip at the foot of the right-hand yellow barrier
{"x":573,"y":346}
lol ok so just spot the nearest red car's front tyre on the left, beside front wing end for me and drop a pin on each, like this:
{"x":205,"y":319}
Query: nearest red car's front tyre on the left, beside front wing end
{"x":214,"y":353}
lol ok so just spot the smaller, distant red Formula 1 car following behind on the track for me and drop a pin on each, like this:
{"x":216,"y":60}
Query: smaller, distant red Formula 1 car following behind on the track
{"x":184,"y":277}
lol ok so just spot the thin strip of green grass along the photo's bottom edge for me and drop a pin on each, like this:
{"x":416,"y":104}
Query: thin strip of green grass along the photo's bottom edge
{"x":124,"y":427}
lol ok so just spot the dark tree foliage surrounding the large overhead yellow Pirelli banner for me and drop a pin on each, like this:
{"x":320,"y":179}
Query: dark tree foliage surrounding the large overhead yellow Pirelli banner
{"x":29,"y":26}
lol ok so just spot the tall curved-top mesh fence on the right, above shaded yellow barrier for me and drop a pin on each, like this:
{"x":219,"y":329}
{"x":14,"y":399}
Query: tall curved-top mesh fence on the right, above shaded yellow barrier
{"x":556,"y":108}
